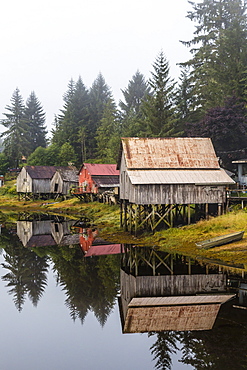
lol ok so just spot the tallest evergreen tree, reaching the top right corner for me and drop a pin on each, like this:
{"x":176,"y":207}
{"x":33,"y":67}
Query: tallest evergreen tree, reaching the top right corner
{"x":219,"y":51}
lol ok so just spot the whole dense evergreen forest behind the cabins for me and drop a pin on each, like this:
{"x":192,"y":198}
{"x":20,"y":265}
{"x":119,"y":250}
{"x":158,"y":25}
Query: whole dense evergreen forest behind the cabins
{"x":209,"y":100}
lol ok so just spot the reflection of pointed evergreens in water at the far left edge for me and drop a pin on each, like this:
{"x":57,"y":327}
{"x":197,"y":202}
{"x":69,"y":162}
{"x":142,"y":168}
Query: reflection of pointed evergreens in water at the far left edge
{"x":27,"y":273}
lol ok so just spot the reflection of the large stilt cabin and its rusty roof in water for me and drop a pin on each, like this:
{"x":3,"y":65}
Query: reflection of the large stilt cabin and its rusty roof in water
{"x":161,"y":291}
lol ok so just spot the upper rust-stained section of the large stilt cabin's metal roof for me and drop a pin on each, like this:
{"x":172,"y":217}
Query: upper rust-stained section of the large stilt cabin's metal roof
{"x":141,"y":153}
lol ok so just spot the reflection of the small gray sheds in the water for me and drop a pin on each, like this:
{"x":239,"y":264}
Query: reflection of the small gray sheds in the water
{"x":46,"y":233}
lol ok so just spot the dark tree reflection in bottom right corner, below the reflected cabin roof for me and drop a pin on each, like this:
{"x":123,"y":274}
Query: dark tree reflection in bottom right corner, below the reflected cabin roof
{"x":223,"y":347}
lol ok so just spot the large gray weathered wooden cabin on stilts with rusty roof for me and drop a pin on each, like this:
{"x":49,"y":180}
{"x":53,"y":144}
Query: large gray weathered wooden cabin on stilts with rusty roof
{"x":158,"y":176}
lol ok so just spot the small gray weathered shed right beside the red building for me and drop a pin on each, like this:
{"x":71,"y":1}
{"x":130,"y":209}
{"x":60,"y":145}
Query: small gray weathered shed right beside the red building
{"x":63,"y":180}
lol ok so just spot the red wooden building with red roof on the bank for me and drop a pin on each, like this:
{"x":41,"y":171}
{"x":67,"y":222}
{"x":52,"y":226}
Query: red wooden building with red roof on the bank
{"x":96,"y":178}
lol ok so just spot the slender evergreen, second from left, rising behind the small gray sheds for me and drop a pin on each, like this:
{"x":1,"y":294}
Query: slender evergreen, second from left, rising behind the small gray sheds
{"x":34,"y":117}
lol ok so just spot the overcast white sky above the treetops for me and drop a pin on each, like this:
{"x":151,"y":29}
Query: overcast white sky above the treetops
{"x":44,"y":44}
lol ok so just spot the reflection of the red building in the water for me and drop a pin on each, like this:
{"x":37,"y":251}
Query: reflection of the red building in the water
{"x":92,"y":245}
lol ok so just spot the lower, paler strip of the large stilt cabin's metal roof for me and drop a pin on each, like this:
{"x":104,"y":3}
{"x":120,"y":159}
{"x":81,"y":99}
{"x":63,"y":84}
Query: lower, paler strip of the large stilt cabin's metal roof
{"x":198,"y":177}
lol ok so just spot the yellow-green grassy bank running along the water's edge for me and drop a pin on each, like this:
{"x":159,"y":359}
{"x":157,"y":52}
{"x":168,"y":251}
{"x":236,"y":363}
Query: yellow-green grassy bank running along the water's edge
{"x":180,"y":240}
